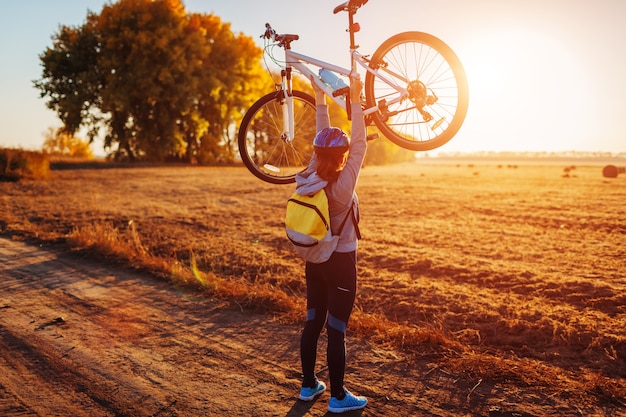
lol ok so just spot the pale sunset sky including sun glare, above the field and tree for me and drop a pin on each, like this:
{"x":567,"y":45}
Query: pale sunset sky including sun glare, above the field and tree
{"x":543,"y":75}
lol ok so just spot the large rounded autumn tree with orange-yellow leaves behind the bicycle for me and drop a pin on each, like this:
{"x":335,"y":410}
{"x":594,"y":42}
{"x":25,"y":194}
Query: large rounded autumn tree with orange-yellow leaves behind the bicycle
{"x":159,"y":83}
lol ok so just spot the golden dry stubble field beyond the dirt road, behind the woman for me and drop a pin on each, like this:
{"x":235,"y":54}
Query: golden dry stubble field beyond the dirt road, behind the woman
{"x":500,"y":274}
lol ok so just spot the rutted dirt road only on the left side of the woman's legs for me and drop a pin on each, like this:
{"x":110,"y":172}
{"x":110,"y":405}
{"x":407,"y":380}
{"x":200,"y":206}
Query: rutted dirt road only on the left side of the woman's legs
{"x":82,"y":339}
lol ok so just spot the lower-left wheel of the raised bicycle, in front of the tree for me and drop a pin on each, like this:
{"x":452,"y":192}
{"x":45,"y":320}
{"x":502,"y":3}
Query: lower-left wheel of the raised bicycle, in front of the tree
{"x":263,"y":147}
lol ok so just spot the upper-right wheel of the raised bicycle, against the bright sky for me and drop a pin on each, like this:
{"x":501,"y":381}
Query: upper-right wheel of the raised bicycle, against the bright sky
{"x":420,"y":89}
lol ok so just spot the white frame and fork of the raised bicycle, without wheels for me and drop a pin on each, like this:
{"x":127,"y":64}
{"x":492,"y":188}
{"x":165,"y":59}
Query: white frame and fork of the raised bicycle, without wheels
{"x":300,"y":61}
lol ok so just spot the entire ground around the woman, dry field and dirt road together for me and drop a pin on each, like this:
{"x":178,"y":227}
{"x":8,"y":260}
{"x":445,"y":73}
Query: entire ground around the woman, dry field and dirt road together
{"x":501,"y":291}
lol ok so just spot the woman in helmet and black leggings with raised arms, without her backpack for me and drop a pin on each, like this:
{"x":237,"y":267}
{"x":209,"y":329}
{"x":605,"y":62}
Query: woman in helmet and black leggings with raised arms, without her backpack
{"x":331,"y":286}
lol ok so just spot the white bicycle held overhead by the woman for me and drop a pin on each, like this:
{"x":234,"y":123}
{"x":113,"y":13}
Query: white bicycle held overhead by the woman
{"x":415,"y":93}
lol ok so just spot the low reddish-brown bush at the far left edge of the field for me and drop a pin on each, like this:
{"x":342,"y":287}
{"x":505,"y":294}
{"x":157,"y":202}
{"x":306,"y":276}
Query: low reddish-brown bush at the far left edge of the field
{"x":17,"y":163}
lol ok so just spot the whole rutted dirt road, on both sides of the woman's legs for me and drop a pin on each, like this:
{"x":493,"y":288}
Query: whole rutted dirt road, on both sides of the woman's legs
{"x":84,"y":338}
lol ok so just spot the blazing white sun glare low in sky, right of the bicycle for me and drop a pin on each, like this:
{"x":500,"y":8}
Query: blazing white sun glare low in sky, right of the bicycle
{"x":527,"y":90}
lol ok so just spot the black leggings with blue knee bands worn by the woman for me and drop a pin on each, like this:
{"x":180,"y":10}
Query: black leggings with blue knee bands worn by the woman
{"x":330,"y":291}
